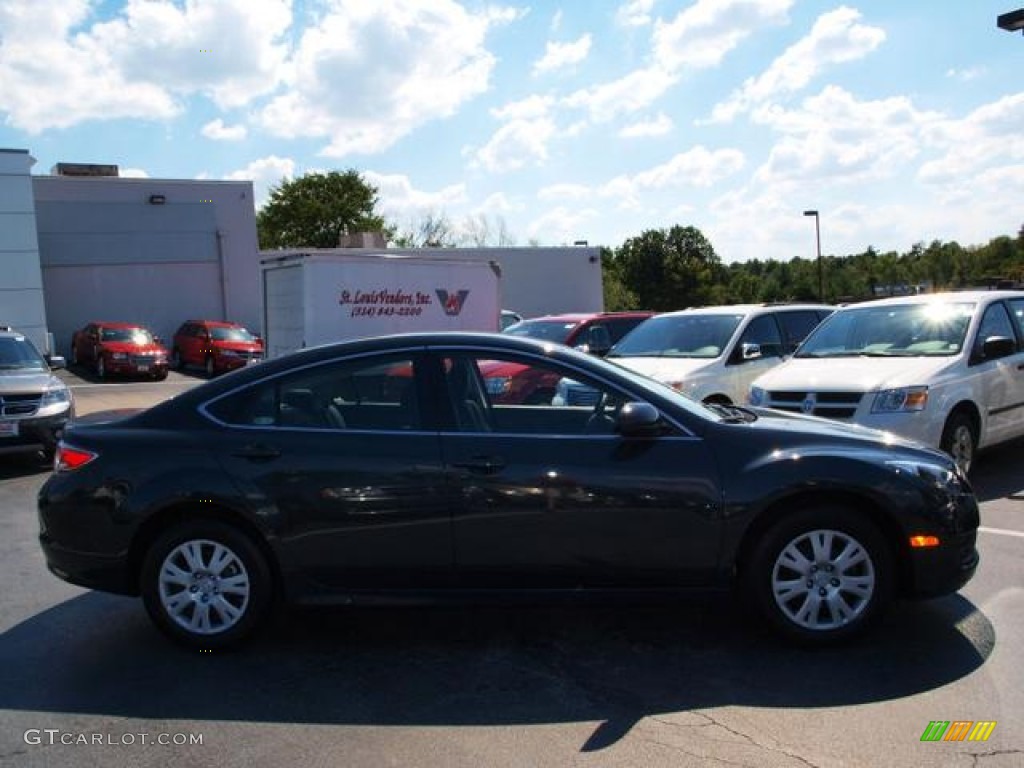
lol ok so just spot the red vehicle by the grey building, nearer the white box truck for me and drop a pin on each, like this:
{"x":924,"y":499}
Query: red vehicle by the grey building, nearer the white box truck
{"x":215,"y":347}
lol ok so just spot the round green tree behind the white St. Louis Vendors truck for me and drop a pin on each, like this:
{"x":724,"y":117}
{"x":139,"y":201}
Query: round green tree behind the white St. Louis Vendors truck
{"x":316,"y":210}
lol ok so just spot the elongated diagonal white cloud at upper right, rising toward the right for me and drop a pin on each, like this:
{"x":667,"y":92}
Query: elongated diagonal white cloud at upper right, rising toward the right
{"x":836,"y":37}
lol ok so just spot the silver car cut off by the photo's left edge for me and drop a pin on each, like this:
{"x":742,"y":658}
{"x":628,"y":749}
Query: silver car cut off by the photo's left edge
{"x":35,"y":405}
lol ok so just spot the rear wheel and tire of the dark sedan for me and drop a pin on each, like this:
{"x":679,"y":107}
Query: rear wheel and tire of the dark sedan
{"x":235,"y":601}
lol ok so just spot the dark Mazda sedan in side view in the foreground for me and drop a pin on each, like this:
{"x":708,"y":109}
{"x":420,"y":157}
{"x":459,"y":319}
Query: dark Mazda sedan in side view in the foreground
{"x":383,"y":471}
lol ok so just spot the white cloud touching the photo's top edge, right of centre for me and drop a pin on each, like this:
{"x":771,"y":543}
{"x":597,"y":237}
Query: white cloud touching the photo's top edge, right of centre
{"x":702,"y":35}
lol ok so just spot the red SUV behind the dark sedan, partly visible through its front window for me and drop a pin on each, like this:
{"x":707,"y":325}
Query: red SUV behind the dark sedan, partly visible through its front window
{"x":594,"y":333}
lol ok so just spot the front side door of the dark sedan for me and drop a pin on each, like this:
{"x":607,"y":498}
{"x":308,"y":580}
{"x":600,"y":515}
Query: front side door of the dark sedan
{"x":549,"y":496}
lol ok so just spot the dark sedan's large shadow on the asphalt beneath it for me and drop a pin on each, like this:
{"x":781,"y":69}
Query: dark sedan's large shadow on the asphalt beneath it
{"x":99,"y":655}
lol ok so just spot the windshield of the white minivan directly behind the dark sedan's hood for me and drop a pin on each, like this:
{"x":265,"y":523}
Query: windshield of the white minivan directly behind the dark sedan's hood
{"x":679,"y":336}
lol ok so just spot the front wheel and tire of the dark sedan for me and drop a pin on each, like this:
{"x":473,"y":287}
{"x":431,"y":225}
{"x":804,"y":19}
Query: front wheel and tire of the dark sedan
{"x":819,"y":601}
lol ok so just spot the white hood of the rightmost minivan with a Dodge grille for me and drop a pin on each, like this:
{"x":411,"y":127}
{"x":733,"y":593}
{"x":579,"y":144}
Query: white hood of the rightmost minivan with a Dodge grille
{"x":854,"y":374}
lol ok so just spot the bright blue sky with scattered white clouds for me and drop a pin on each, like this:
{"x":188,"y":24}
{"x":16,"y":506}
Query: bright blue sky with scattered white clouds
{"x":900,"y":121}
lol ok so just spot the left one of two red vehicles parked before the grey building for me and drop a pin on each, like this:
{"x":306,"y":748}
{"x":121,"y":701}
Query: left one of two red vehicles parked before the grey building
{"x":122,"y":349}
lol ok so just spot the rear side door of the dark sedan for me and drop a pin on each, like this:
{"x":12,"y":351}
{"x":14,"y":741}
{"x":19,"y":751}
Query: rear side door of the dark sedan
{"x":338,"y":455}
